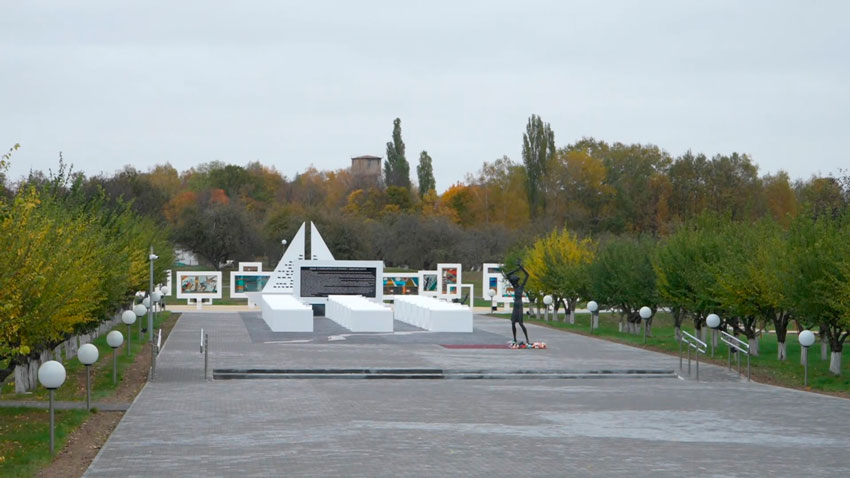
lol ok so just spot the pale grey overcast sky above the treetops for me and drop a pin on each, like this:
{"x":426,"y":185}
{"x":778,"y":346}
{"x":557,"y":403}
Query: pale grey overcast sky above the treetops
{"x":297,"y":83}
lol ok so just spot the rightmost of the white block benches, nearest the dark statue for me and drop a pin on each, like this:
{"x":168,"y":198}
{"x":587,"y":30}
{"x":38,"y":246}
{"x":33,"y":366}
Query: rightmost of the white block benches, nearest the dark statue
{"x":432,"y":314}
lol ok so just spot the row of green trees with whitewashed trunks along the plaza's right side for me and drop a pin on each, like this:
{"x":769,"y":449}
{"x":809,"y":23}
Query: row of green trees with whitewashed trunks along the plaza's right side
{"x":753,"y":274}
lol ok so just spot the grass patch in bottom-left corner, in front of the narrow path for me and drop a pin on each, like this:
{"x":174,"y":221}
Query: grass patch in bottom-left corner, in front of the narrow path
{"x":25,"y":433}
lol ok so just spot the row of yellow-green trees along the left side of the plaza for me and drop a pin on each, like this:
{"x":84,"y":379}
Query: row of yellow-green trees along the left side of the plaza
{"x":70,"y":261}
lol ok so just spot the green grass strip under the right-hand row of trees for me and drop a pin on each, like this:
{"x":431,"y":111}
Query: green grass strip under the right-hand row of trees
{"x":764,"y":368}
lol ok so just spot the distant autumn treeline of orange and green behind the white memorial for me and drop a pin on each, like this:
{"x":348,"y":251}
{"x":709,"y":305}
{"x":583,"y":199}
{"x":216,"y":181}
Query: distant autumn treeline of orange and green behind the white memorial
{"x":226,"y":212}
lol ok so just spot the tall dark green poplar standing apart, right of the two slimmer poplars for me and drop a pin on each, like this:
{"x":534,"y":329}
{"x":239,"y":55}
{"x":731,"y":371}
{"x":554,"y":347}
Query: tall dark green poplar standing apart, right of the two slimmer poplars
{"x":538,"y":149}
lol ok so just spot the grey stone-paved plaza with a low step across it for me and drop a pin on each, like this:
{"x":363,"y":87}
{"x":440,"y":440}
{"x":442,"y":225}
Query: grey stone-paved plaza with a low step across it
{"x":182,"y":425}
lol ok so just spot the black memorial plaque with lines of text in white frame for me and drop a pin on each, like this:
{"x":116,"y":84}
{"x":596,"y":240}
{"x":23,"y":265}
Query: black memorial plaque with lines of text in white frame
{"x":318,"y":281}
